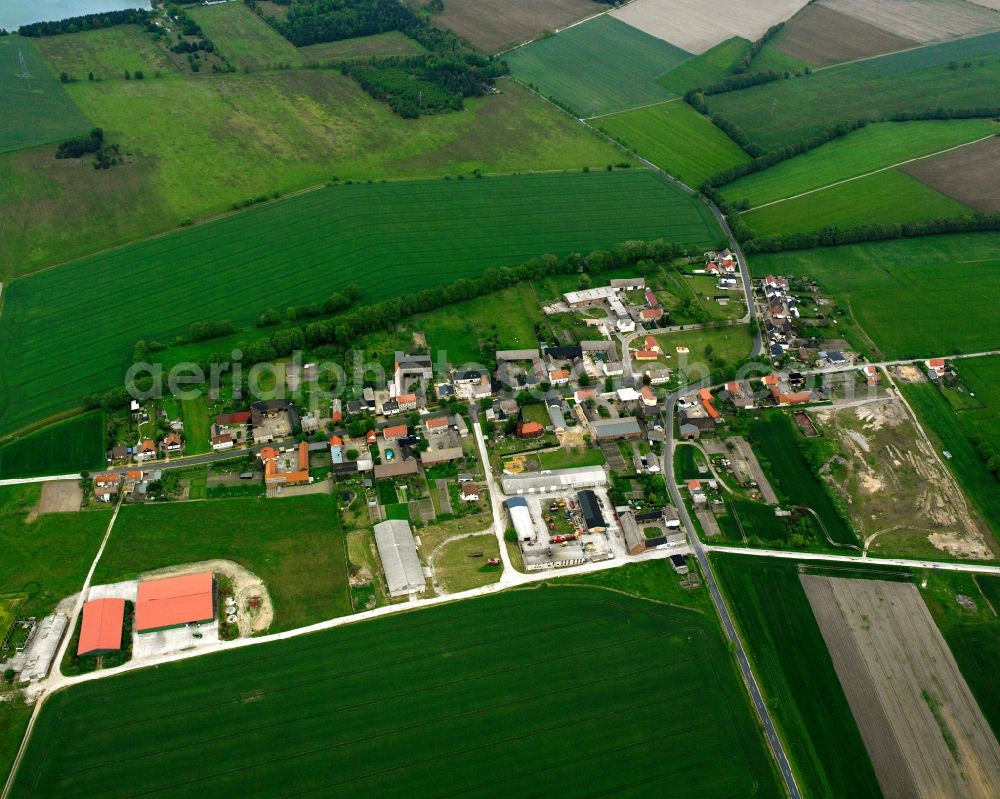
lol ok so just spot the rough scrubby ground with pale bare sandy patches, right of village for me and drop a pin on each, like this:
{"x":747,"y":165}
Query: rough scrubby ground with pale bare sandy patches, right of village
{"x":898,"y":492}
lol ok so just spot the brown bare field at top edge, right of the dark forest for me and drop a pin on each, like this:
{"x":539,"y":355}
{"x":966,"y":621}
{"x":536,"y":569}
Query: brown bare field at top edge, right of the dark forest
{"x":495,"y":24}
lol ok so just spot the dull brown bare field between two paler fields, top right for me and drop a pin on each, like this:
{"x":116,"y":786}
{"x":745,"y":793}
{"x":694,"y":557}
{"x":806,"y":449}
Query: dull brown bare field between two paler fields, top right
{"x":821,"y":36}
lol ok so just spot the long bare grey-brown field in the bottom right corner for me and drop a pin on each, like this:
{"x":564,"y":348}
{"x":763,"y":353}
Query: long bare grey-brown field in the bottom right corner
{"x":921,"y":725}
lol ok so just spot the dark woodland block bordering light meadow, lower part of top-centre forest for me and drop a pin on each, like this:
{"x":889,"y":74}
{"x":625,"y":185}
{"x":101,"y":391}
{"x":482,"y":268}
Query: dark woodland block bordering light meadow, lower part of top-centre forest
{"x":425,"y":84}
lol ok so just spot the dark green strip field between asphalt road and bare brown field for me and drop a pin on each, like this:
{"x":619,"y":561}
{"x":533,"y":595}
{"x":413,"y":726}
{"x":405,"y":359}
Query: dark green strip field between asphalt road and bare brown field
{"x":796,"y":676}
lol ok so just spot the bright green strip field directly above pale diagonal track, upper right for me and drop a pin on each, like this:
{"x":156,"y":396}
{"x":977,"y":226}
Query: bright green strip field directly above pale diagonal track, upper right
{"x":873,"y":147}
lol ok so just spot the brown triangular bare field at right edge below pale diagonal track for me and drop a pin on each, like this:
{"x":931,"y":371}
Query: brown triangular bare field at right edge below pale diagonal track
{"x":967,"y":175}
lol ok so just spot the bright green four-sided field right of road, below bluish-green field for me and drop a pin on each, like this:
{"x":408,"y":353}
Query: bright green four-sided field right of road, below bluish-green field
{"x":676,"y":138}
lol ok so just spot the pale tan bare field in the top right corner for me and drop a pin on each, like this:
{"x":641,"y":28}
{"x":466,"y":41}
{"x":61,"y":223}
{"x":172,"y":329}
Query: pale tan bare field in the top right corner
{"x":923,"y":20}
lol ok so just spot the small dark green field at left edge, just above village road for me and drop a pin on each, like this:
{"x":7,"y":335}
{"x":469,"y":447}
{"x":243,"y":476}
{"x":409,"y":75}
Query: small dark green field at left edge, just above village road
{"x":74,"y":445}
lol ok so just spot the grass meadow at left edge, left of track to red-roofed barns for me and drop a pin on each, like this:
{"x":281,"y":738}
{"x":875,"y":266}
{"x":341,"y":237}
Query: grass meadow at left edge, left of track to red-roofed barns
{"x":48,"y":559}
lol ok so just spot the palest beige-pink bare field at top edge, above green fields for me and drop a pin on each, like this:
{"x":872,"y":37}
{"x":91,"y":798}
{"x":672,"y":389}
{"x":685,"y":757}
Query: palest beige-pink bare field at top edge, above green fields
{"x":698,"y":25}
